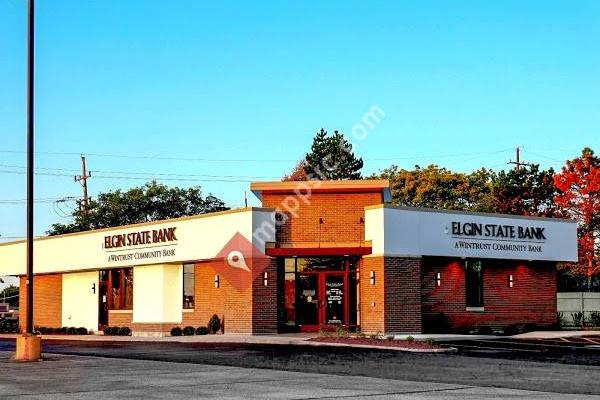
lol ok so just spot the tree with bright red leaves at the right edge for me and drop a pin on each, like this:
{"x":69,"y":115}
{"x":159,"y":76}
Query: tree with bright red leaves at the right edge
{"x":578,"y":195}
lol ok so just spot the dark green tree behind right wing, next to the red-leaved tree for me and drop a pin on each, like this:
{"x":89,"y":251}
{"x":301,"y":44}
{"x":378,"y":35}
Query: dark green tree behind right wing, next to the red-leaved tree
{"x":524,"y":191}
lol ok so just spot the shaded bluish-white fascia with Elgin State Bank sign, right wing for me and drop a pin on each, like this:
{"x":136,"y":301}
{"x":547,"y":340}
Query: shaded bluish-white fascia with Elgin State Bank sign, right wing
{"x":421,"y":232}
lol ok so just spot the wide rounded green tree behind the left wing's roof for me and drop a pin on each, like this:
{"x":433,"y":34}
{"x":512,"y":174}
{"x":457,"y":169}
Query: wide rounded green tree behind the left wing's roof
{"x":151,"y":202}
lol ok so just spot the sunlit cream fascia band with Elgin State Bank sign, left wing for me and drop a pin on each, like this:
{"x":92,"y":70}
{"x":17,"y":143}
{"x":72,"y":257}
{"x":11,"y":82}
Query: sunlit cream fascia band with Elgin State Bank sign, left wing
{"x":177,"y":240}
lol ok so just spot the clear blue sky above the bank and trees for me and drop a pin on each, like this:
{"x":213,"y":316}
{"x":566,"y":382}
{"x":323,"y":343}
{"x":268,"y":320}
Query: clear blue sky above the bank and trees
{"x":235,"y":90}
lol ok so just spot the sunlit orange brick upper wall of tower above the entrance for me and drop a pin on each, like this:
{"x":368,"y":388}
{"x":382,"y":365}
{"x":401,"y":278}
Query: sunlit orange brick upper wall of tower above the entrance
{"x":341,"y":213}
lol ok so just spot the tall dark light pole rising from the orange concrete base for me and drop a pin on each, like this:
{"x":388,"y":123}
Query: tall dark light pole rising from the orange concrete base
{"x":30,"y":161}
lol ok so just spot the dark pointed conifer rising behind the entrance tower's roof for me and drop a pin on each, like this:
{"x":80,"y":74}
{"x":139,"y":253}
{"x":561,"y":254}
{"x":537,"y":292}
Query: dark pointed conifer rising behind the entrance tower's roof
{"x":332,"y":158}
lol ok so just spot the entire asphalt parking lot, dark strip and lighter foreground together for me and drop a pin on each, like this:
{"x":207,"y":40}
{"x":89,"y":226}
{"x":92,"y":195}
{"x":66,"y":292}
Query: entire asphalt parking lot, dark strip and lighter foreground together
{"x":471,"y":372}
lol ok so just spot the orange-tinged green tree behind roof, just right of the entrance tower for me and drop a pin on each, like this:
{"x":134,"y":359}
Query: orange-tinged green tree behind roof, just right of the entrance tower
{"x":436,"y":187}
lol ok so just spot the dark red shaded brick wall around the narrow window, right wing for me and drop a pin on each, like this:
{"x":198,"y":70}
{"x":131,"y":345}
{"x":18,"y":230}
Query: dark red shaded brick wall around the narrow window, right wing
{"x":532,"y":299}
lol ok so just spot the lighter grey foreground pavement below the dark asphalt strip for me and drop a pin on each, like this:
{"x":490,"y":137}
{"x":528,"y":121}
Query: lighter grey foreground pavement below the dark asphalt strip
{"x":83,"y":377}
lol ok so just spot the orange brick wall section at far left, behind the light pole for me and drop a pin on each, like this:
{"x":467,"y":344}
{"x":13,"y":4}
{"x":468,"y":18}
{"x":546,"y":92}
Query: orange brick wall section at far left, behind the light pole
{"x":47,"y":301}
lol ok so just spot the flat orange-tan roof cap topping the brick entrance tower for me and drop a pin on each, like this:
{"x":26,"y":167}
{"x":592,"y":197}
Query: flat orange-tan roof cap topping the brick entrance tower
{"x":315,"y":186}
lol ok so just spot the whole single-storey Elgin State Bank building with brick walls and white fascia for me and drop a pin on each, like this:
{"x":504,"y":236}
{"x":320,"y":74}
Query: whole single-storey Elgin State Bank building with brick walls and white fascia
{"x":315,"y":254}
